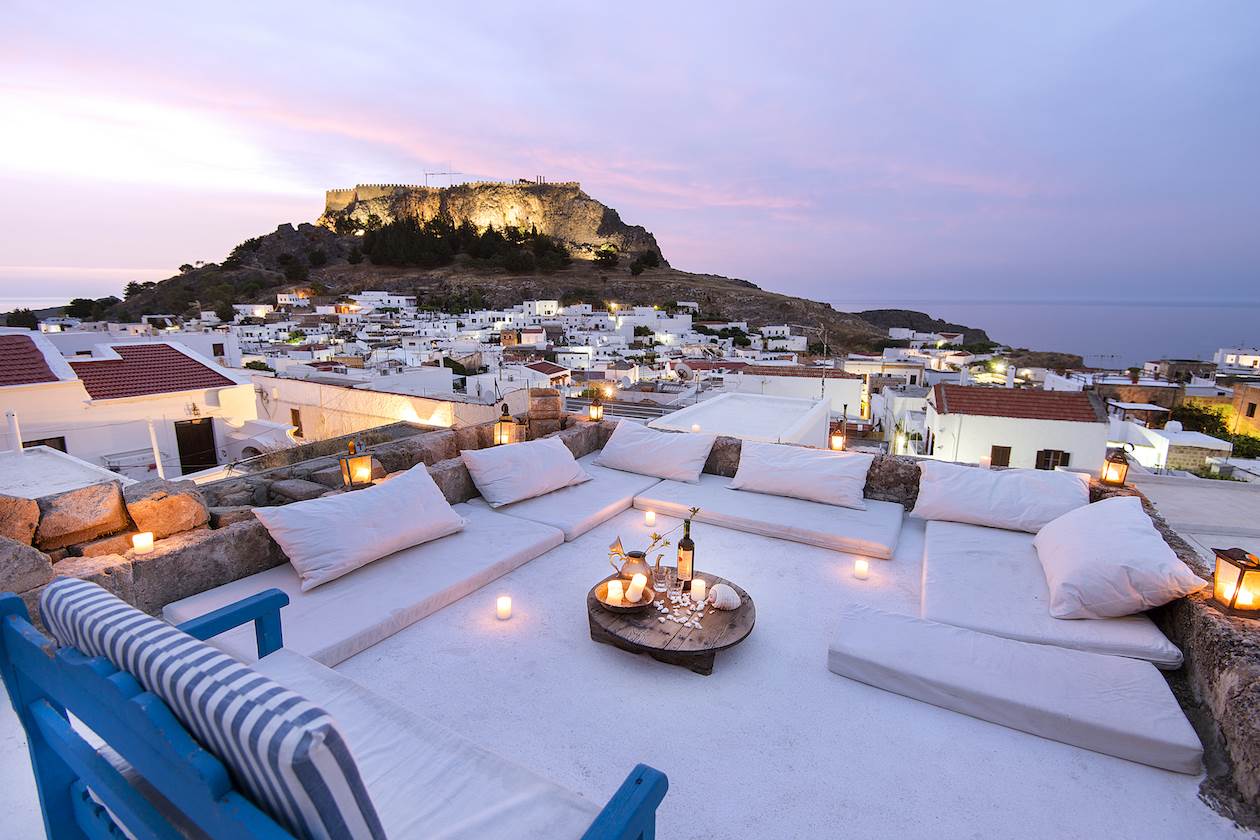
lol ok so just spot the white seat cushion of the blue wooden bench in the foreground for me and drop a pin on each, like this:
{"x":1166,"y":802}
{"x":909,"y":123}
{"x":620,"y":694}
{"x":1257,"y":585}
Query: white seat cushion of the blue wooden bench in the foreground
{"x":425,"y":781}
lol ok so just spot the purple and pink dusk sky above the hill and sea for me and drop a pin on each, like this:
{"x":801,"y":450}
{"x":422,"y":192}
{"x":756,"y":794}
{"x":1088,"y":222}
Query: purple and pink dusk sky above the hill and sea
{"x":925,"y":150}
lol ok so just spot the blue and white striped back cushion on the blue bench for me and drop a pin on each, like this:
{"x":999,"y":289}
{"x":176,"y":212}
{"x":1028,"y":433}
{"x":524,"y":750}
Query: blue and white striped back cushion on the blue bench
{"x":287,"y":754}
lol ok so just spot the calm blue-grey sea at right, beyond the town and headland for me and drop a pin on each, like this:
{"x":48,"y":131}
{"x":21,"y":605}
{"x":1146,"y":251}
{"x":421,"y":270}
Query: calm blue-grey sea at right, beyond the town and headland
{"x":1107,"y":333}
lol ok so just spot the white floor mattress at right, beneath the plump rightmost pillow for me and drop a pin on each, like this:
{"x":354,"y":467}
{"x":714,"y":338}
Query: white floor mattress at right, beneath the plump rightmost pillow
{"x":990,"y":580}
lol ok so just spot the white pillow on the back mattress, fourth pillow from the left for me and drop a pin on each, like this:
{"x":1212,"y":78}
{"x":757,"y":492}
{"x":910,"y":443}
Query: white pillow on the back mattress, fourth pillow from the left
{"x":817,"y":475}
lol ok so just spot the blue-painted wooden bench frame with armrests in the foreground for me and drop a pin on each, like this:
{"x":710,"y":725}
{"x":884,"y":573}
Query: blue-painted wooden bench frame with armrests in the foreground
{"x":84,"y":795}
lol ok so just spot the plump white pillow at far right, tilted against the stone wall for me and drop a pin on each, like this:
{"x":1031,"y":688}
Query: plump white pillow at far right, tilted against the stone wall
{"x":1107,"y":560}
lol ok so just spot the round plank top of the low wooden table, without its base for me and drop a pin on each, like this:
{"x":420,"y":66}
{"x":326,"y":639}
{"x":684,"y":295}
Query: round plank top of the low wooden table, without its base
{"x":643,"y":629}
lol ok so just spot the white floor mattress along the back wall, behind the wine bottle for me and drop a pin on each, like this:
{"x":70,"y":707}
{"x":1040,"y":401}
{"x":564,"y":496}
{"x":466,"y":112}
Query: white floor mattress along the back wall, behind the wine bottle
{"x":873,"y":532}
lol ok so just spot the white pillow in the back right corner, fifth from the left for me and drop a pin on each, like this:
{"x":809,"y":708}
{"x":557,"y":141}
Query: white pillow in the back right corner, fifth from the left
{"x":1021,"y":501}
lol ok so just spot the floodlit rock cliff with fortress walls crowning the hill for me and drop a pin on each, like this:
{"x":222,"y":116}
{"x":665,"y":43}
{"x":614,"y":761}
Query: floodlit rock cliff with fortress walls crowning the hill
{"x":560,"y":211}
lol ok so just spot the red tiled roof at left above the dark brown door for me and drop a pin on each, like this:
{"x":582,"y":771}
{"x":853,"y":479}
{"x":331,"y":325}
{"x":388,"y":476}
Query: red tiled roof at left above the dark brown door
{"x":146,"y":370}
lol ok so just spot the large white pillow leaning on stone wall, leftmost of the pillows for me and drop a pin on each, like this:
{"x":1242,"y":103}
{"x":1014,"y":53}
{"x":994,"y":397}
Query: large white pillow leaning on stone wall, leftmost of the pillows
{"x":329,"y":537}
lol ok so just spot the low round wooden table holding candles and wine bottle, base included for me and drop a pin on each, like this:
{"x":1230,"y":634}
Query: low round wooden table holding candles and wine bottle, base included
{"x":667,"y":642}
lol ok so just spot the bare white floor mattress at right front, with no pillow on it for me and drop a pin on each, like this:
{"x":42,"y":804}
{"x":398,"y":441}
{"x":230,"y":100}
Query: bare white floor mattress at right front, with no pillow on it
{"x":1111,"y":705}
